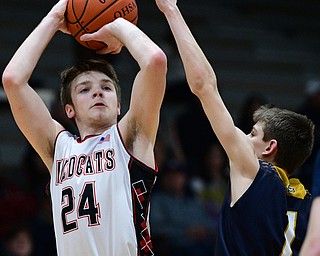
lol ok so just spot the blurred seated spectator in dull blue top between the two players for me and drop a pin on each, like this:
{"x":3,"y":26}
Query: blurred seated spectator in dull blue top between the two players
{"x":179,"y":223}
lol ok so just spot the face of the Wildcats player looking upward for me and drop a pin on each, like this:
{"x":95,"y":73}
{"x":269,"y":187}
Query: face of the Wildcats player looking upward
{"x":94,"y":99}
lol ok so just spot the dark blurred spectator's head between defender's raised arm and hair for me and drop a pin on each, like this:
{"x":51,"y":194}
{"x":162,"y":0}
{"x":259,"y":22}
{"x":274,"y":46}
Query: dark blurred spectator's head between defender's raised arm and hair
{"x":250,"y":104}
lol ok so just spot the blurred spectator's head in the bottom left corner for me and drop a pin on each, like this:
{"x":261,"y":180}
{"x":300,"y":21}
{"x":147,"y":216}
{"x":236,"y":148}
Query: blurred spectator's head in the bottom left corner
{"x":19,"y":242}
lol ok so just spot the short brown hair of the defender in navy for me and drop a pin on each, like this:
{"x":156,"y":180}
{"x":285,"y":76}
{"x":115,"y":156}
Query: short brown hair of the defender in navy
{"x":293,"y":132}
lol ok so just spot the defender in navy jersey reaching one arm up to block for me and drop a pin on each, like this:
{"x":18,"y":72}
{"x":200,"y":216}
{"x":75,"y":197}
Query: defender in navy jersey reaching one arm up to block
{"x":258,"y":217}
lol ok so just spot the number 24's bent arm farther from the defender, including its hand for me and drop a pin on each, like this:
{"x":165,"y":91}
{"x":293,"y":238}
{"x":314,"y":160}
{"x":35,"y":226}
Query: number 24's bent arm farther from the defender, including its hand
{"x":29,"y":111}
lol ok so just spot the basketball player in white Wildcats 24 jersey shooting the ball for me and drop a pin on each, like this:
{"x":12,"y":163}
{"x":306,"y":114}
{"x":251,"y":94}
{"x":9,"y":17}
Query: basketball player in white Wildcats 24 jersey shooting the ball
{"x":100,"y":181}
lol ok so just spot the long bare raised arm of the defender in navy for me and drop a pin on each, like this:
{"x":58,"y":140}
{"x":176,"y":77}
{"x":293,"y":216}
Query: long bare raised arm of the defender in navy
{"x":203,"y":83}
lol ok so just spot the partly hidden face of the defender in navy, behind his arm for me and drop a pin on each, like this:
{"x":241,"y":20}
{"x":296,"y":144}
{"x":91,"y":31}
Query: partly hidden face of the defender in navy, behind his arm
{"x":256,"y":137}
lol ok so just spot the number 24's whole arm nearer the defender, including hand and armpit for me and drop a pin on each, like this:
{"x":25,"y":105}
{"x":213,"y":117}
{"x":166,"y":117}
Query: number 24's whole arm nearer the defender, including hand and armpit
{"x":139,"y":125}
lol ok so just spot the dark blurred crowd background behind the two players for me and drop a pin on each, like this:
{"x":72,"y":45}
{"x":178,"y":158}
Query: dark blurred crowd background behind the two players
{"x":263,"y":51}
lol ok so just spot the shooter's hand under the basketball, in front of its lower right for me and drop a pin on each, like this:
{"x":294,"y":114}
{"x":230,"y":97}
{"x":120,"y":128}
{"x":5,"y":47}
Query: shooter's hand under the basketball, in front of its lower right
{"x":105,"y":35}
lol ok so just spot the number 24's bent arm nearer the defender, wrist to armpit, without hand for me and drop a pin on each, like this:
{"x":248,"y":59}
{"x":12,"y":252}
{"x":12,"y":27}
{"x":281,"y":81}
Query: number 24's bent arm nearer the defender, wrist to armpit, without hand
{"x":149,"y":84}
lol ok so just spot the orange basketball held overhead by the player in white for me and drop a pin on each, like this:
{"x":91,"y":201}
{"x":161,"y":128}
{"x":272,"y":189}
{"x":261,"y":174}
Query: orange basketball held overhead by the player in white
{"x":87,"y":16}
